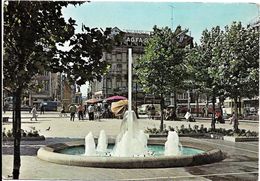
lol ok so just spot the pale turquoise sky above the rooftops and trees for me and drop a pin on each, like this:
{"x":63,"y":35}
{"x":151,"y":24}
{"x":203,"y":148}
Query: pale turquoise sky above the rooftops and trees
{"x":136,"y":15}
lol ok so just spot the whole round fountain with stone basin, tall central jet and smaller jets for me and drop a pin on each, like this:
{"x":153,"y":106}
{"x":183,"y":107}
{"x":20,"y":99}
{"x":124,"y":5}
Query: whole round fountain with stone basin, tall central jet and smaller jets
{"x":131,"y":147}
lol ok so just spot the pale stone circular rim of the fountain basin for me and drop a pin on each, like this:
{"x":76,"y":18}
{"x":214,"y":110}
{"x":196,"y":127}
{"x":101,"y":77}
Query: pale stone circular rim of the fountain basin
{"x":209,"y":155}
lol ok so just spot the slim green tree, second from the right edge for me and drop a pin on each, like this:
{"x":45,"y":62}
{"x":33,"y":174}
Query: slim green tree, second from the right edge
{"x":203,"y":64}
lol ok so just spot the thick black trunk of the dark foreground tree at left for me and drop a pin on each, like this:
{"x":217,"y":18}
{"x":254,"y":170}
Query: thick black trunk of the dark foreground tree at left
{"x":17,"y":132}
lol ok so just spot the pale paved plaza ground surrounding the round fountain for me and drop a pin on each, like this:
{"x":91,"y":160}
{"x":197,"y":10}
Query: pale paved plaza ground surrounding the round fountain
{"x":241,"y":162}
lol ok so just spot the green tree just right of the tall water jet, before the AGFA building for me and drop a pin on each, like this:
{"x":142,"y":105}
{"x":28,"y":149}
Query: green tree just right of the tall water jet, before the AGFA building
{"x":161,"y":66}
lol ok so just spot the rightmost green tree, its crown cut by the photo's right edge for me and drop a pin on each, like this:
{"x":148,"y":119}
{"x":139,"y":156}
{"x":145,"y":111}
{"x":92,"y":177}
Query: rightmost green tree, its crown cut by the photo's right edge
{"x":240,"y":63}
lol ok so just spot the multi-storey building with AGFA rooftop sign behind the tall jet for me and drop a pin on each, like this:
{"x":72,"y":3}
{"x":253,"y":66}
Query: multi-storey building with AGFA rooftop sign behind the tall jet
{"x":115,"y":81}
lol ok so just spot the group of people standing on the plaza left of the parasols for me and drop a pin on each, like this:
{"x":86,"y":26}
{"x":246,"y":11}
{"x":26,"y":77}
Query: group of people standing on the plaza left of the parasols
{"x":82,"y":110}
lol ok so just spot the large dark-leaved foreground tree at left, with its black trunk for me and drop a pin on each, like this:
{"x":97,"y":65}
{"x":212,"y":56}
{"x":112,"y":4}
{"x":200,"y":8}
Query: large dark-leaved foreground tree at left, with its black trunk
{"x":32,"y":31}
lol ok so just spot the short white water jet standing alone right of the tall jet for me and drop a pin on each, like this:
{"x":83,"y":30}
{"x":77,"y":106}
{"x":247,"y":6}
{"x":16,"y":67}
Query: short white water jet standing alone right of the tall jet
{"x":172,"y":144}
